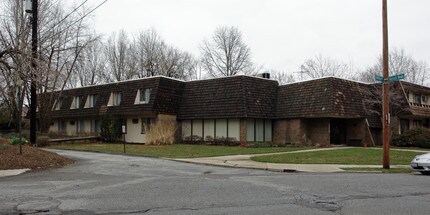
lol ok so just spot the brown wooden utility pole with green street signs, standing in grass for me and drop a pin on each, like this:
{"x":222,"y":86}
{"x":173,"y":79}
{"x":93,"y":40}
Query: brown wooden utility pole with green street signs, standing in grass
{"x":385,"y":89}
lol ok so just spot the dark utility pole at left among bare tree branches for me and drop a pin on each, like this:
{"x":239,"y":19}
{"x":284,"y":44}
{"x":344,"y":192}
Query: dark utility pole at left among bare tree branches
{"x":33,"y":92}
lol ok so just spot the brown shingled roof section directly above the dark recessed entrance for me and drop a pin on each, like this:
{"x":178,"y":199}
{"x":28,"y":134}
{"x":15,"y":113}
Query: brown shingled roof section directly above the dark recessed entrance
{"x":324,"y":97}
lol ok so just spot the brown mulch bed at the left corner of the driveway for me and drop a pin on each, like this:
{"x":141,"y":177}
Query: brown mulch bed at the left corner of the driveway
{"x":31,"y":158}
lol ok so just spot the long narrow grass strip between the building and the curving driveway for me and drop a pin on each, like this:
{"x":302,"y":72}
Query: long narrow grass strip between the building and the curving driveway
{"x":172,"y":151}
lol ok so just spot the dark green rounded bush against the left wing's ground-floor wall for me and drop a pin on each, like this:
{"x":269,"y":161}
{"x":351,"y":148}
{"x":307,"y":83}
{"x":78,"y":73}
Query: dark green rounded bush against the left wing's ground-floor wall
{"x":109,"y":128}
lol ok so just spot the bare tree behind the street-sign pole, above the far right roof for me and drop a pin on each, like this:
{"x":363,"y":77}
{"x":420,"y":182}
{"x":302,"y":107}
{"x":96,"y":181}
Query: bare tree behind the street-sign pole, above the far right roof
{"x":400,"y":62}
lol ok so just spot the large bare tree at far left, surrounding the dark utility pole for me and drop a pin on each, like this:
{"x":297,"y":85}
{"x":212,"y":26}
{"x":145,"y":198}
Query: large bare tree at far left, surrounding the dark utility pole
{"x":62,"y":38}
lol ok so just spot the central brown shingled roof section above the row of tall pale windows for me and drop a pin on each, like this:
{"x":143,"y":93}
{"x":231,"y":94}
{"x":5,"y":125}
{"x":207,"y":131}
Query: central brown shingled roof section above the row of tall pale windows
{"x":230,"y":97}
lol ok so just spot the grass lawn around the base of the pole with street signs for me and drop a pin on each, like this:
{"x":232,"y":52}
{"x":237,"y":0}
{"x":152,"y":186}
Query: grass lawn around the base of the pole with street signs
{"x":358,"y":156}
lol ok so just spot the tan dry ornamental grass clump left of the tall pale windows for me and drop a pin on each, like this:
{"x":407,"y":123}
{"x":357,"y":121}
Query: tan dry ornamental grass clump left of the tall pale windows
{"x":162,"y":132}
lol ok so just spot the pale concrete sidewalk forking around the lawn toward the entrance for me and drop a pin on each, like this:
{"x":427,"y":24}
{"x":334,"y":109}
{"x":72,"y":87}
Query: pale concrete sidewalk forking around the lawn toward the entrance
{"x":244,"y":161}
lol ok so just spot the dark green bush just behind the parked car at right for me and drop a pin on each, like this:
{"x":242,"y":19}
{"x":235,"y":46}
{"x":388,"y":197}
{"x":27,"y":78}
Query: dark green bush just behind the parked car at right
{"x":416,"y":137}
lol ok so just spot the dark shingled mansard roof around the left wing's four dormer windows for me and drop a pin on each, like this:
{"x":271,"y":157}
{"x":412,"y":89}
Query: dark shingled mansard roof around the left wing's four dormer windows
{"x":165,"y":98}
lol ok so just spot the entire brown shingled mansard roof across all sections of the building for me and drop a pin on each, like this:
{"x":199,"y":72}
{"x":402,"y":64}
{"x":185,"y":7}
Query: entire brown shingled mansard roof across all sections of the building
{"x":234,"y":97}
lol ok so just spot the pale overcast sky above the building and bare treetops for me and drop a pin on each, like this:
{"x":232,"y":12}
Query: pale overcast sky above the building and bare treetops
{"x":282,"y":34}
